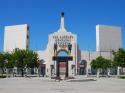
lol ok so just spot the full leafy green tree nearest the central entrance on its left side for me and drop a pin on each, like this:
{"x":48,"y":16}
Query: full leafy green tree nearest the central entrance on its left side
{"x":25,"y":58}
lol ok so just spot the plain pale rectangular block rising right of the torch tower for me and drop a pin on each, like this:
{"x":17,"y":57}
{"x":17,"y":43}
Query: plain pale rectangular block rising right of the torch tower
{"x":108,"y":38}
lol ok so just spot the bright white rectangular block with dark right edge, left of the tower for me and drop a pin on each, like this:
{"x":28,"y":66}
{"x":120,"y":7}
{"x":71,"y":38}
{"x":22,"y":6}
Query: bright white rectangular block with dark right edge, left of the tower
{"x":16,"y":36}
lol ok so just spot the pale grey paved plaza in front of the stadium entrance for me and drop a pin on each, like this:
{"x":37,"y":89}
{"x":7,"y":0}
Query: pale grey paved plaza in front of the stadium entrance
{"x":46,"y":85}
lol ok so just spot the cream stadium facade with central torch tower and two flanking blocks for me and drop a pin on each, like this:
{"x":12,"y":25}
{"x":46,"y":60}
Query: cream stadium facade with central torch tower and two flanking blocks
{"x":75,"y":61}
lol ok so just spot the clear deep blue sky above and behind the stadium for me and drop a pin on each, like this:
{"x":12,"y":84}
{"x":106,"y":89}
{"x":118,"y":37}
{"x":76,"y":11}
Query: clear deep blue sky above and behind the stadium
{"x":43,"y":17}
